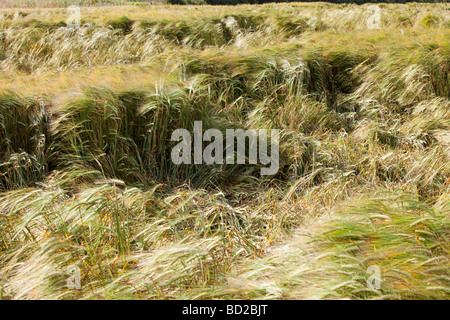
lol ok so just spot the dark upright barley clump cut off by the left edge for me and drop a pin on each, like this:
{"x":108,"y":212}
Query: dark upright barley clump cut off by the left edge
{"x":24,"y":141}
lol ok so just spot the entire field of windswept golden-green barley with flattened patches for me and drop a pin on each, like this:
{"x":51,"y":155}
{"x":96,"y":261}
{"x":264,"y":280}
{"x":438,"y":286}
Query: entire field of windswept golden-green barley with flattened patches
{"x":88,"y":188}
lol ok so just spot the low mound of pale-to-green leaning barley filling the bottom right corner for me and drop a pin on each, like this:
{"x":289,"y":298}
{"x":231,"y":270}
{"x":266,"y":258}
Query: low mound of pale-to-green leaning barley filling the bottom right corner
{"x":406,"y":239}
